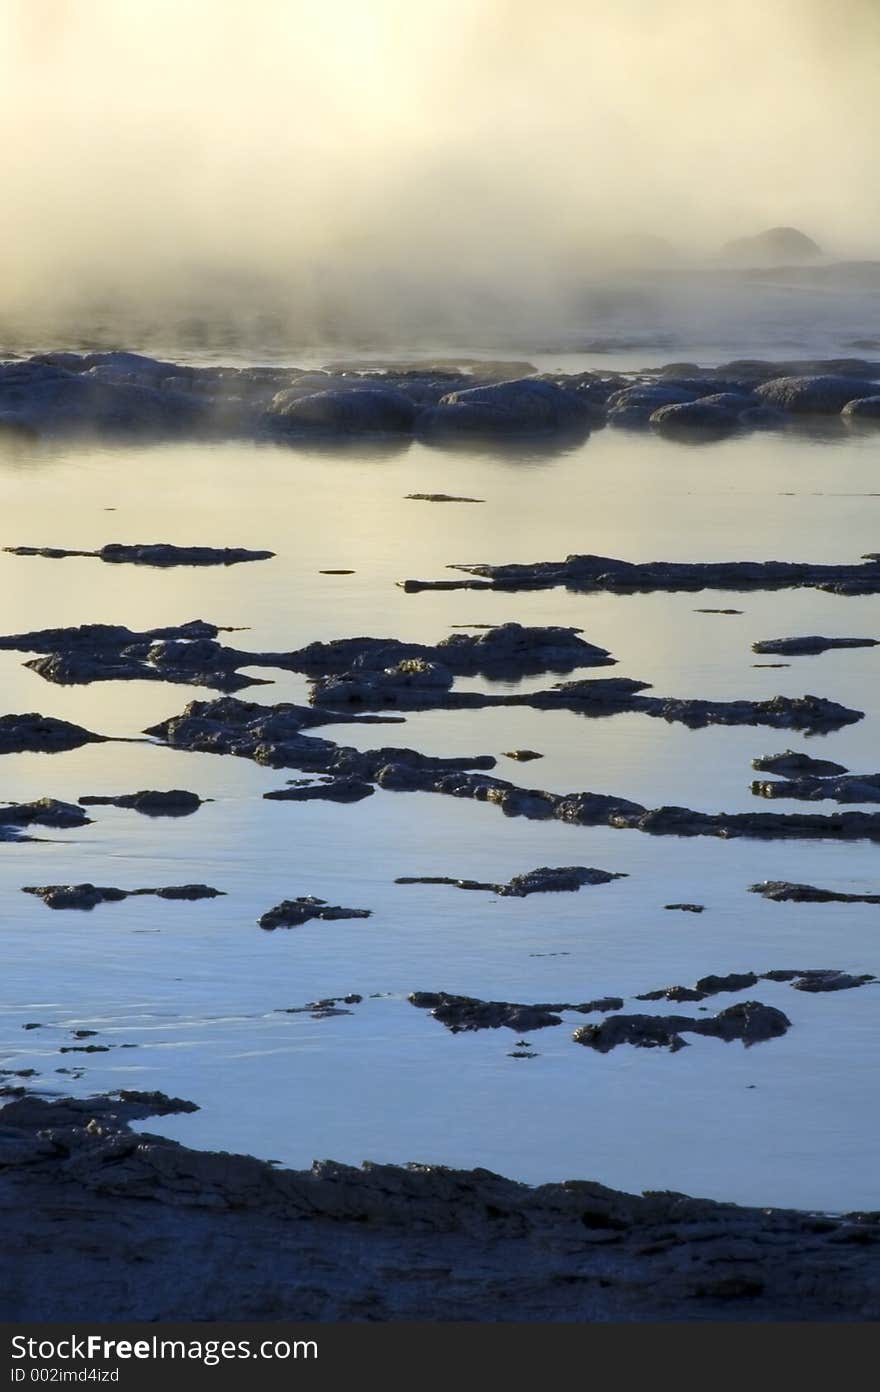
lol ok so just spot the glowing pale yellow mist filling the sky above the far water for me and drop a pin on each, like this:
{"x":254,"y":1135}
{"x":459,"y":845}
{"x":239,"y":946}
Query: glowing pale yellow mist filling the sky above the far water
{"x":377,"y":171}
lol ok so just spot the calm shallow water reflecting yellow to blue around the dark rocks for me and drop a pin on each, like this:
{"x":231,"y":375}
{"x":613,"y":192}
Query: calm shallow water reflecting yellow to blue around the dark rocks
{"x":201,"y":990}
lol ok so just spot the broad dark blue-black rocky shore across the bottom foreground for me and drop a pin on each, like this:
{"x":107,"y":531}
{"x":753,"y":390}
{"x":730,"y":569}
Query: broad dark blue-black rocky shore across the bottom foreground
{"x":400,"y":1242}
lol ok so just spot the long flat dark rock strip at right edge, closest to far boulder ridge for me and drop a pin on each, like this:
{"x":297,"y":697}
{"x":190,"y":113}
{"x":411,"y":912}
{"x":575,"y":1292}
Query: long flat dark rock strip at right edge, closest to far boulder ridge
{"x":604,"y":573}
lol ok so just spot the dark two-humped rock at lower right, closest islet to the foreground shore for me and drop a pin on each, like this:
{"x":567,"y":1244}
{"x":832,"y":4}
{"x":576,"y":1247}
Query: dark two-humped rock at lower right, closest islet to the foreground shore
{"x":750,"y":1021}
